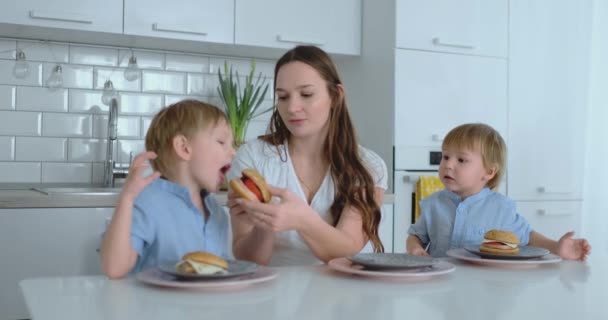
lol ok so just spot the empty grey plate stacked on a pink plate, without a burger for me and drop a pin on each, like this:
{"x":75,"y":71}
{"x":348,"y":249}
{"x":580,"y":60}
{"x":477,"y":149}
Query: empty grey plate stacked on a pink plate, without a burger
{"x":385,"y":261}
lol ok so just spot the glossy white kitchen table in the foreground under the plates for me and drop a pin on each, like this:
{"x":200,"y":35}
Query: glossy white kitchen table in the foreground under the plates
{"x":566,"y":290}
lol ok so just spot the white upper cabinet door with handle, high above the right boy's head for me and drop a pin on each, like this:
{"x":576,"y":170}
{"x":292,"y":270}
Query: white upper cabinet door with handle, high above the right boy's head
{"x":476,"y":27}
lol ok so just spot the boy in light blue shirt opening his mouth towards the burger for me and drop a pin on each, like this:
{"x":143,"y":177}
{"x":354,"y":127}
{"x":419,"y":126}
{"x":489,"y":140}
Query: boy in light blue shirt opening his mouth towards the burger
{"x":157,"y":220}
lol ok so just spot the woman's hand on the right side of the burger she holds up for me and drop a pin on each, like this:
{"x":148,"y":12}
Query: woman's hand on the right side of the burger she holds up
{"x":288,"y":214}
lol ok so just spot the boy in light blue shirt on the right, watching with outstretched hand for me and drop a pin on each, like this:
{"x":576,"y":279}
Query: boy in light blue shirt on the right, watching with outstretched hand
{"x":473,"y":161}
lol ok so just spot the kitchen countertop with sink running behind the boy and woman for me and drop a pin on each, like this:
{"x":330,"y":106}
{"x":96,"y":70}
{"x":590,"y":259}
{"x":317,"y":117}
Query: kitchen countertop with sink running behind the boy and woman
{"x":18,"y":195}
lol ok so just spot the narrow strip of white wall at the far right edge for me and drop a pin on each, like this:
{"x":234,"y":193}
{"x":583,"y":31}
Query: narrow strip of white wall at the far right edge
{"x":595,"y":212}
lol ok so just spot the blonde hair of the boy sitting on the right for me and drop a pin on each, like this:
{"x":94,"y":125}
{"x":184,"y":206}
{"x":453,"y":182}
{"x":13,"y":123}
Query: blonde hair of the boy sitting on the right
{"x":483,"y":138}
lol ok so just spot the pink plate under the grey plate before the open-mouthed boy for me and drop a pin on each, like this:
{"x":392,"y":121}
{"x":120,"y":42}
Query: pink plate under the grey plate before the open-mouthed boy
{"x":156,"y":277}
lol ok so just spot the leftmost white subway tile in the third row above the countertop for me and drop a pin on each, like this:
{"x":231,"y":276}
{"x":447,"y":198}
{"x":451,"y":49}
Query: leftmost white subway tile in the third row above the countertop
{"x":20,"y":123}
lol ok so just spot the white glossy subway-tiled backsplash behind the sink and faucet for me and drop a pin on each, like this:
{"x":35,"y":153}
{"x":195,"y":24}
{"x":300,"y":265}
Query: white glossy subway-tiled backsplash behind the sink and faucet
{"x":60,"y":135}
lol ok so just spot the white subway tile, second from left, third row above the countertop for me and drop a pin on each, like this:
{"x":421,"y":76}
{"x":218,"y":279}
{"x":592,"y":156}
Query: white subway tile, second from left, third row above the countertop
{"x":67,"y":125}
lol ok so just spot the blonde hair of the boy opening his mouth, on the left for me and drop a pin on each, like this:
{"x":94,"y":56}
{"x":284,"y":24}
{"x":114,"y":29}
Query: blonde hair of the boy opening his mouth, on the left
{"x":187,"y":118}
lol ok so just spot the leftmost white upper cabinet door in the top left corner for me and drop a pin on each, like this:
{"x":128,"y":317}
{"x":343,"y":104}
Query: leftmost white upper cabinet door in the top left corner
{"x":103,"y":16}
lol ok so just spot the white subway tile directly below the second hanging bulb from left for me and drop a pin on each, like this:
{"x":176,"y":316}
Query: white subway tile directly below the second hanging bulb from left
{"x":42,"y":99}
